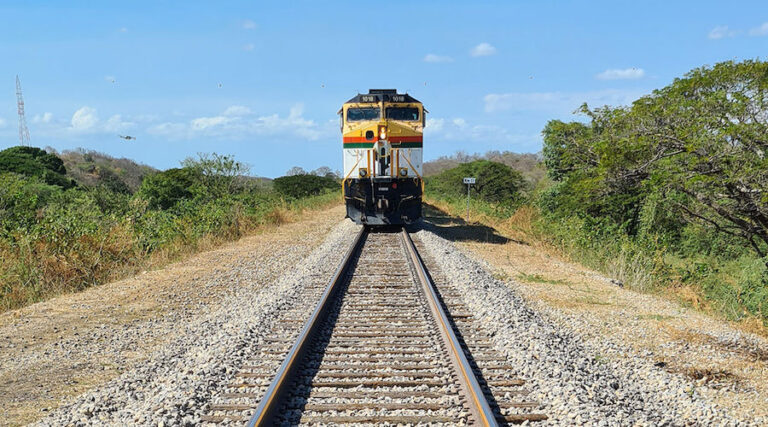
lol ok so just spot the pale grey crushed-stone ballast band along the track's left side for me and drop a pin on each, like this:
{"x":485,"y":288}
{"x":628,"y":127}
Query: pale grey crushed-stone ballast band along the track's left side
{"x":173,"y":386}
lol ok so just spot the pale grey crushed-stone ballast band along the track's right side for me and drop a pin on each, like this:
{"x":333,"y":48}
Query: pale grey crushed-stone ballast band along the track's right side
{"x":562,"y":370}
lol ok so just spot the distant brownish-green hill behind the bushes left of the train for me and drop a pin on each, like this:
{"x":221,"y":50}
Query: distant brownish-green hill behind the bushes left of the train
{"x":91,"y":168}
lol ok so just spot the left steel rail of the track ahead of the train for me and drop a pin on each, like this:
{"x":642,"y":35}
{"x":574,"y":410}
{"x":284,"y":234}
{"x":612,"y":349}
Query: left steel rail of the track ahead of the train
{"x":269,"y":404}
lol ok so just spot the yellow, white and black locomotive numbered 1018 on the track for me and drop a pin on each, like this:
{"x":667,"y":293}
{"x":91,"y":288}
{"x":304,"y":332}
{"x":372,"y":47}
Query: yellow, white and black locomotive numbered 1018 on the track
{"x":383,"y":135}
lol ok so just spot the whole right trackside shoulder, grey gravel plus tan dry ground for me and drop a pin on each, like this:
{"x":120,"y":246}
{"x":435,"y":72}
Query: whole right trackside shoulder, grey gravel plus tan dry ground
{"x":595,"y":350}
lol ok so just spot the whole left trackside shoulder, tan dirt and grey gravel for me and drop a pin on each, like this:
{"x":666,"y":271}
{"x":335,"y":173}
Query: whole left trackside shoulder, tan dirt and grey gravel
{"x":166,"y":327}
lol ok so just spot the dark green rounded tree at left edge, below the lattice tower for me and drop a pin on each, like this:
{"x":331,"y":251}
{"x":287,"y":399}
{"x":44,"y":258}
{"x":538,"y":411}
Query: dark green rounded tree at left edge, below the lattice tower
{"x":34,"y":162}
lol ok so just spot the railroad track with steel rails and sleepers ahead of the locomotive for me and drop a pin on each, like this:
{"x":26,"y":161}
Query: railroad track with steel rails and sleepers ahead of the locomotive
{"x":382,"y":346}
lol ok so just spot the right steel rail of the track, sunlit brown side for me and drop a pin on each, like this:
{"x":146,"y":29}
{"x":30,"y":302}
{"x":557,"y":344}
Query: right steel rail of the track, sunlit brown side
{"x":480,"y":407}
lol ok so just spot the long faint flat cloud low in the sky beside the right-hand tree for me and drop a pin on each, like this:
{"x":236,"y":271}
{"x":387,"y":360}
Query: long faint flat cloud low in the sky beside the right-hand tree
{"x":557,"y":102}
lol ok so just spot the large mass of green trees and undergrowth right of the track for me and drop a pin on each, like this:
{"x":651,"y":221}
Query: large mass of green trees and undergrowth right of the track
{"x":678,"y":181}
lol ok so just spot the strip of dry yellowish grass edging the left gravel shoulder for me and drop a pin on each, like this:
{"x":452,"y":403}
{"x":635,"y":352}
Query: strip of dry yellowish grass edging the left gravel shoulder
{"x":35,"y":270}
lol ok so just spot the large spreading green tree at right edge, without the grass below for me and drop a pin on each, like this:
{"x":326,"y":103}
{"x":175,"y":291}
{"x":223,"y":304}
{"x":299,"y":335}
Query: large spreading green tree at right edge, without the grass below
{"x":701,"y":142}
